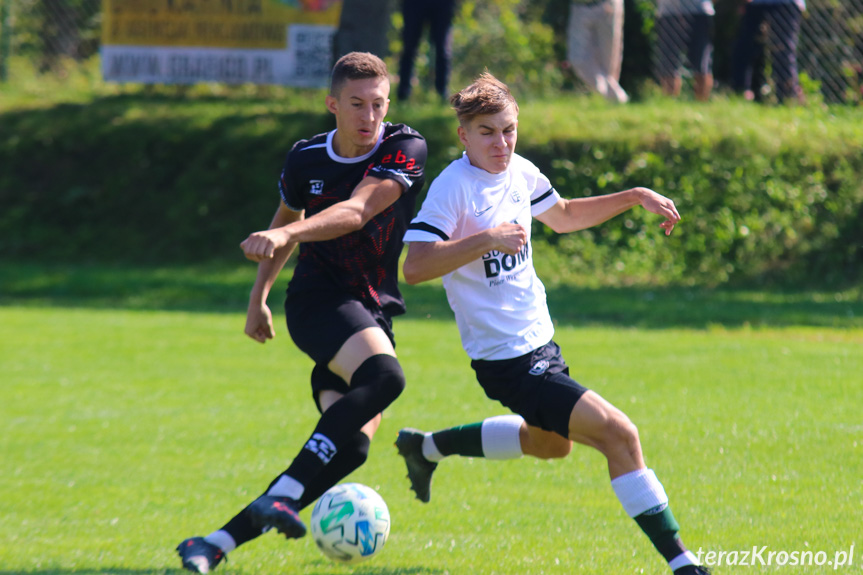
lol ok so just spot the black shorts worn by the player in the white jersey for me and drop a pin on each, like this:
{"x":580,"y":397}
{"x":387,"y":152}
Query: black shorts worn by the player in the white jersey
{"x":536,"y":386}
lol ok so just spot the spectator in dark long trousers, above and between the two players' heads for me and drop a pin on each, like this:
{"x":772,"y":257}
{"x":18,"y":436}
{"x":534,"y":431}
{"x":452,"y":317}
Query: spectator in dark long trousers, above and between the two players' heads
{"x":439,"y":15}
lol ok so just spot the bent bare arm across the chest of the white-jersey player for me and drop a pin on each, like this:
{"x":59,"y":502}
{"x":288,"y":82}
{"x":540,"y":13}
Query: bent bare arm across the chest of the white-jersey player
{"x":429,"y":260}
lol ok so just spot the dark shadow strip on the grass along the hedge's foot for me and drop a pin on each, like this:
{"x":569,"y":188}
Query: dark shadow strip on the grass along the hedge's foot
{"x":224,"y":288}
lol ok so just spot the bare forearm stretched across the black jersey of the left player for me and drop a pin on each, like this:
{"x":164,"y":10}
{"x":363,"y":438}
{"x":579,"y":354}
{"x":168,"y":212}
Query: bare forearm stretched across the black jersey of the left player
{"x":371,"y":197}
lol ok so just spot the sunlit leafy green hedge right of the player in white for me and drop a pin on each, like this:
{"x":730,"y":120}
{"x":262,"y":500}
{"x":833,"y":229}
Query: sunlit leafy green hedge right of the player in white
{"x":747,"y":217}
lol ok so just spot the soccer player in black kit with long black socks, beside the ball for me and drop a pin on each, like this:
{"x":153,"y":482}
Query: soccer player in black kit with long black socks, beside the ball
{"x":347,"y":197}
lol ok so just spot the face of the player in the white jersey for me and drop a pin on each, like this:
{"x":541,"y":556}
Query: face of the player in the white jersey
{"x":490,"y":140}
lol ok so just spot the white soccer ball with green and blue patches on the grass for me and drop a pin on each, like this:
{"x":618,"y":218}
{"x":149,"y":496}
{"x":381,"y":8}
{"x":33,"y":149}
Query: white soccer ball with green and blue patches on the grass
{"x":350,"y":523}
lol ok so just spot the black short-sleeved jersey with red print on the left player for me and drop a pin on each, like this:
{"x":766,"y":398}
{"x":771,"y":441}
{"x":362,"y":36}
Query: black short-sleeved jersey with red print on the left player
{"x":363,"y":263}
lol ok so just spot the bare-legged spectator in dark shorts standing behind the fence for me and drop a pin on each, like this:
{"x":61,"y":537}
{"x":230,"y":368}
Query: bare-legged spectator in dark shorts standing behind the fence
{"x":685,"y":25}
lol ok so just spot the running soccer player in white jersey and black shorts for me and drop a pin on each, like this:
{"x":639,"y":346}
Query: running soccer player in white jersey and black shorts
{"x":473,"y":230}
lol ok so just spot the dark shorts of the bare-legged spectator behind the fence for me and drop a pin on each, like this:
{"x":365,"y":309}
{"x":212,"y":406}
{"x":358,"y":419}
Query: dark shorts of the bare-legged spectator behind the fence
{"x":684,"y":33}
